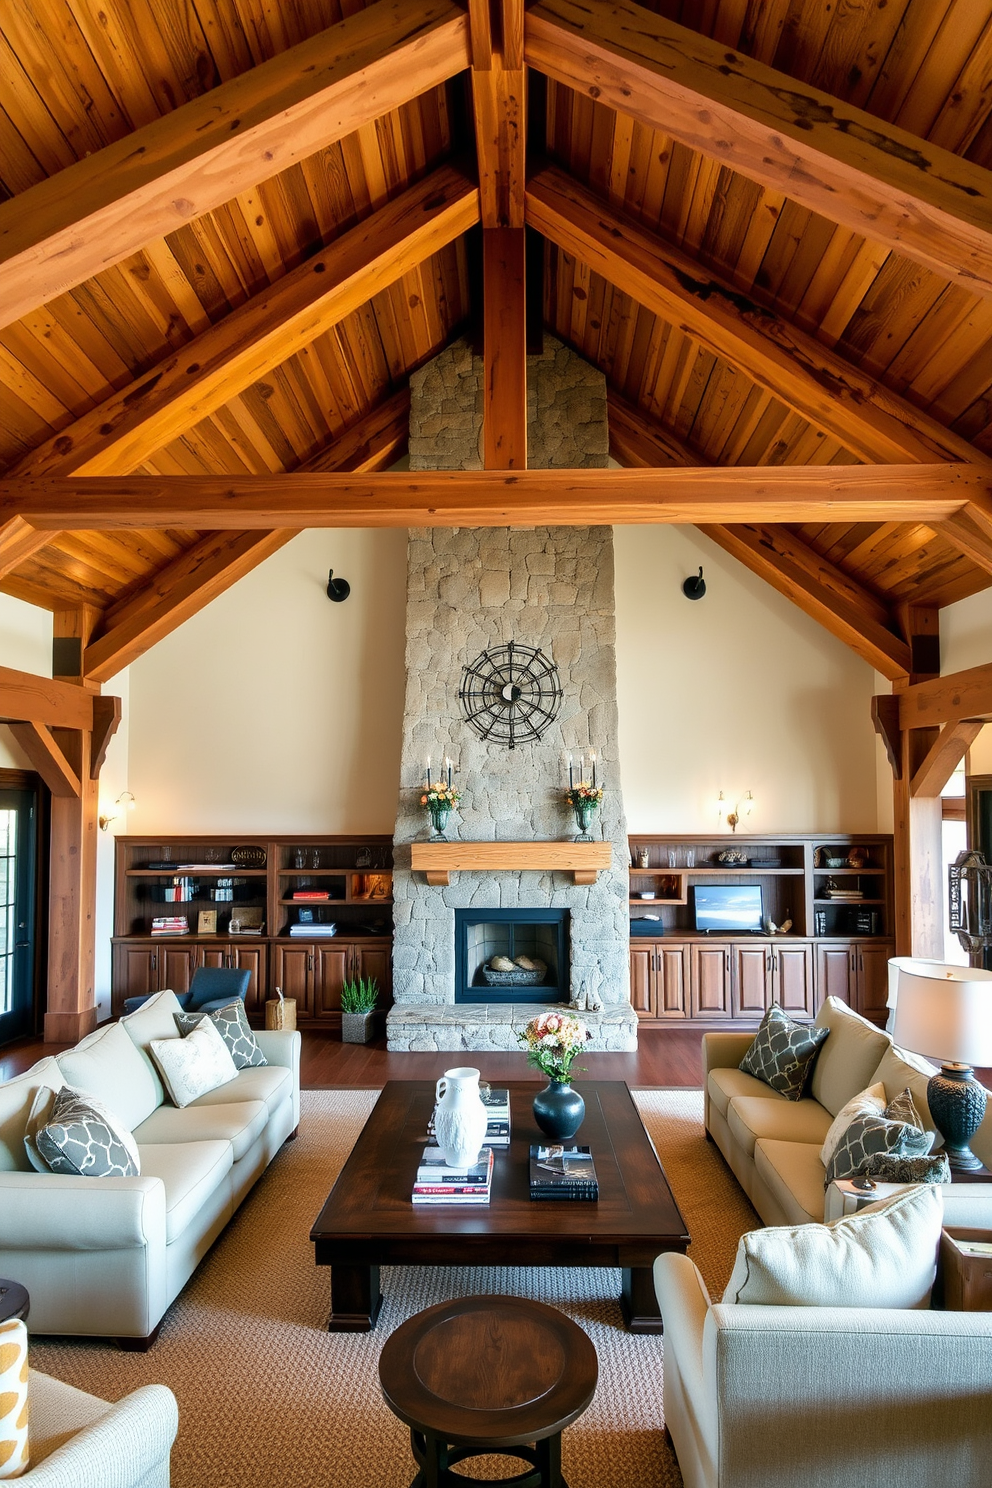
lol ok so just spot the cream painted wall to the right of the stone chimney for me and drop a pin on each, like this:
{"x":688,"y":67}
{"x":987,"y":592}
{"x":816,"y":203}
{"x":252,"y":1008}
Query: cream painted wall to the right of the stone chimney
{"x":738,"y":691}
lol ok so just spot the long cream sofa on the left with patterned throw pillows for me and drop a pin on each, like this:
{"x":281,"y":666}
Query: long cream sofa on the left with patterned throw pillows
{"x":108,"y":1257}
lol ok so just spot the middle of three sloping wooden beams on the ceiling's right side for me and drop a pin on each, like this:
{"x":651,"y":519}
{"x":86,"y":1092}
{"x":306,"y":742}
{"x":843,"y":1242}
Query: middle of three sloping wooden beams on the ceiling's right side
{"x":811,"y":380}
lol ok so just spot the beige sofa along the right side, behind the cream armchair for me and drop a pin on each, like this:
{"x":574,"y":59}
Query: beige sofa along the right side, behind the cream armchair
{"x":773,"y":1145}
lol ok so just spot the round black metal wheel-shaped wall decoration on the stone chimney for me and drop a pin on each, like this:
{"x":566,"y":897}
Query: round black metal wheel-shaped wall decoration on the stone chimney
{"x":511,"y":694}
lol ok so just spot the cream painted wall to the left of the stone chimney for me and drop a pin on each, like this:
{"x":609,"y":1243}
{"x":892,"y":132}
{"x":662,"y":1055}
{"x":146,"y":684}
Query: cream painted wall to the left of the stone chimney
{"x":274,"y":711}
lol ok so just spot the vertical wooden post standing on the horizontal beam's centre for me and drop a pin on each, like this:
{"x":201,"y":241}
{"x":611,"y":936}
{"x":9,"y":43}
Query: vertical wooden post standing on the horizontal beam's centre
{"x":505,"y":349}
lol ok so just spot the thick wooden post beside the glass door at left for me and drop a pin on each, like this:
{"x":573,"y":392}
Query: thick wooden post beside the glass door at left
{"x":72,"y":947}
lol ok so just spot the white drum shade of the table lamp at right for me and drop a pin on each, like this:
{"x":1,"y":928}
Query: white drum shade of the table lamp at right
{"x":947,"y":1014}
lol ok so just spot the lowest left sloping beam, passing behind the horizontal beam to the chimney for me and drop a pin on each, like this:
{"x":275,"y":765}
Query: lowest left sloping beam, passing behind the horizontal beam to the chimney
{"x":196,"y":578}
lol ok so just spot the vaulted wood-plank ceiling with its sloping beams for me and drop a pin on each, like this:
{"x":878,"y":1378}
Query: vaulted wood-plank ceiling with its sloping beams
{"x":231,"y":230}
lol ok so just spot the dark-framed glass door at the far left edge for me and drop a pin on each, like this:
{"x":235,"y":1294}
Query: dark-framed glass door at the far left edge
{"x":19,"y":847}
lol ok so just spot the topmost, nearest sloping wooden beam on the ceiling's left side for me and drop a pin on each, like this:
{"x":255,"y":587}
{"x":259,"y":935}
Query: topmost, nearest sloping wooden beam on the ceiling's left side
{"x":179,"y":167}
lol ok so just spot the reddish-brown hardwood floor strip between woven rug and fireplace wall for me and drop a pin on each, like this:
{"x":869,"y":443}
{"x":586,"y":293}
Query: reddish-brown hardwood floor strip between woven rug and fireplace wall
{"x":664,"y":1057}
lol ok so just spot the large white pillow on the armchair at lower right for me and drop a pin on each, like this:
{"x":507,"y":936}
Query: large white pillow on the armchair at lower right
{"x":883,"y":1257}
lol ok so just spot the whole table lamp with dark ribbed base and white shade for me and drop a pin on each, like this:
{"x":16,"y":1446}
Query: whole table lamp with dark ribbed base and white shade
{"x":947,"y":1014}
